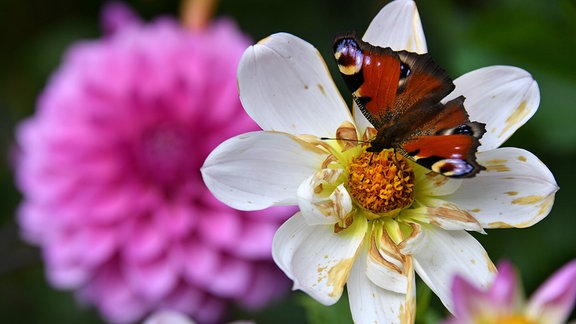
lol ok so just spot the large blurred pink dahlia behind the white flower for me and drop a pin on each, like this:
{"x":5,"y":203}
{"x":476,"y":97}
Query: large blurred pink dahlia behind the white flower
{"x":109,"y":170}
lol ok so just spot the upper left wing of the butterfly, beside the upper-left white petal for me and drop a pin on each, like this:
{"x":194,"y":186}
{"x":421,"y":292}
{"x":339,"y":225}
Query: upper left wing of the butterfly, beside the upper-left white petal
{"x":390,"y":86}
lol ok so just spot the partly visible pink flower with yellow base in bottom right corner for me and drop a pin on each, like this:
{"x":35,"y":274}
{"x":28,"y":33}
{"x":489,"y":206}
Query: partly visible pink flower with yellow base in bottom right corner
{"x":504,"y":301}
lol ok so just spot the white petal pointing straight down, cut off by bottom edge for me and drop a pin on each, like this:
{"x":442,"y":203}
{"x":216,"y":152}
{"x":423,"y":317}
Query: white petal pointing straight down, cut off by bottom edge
{"x":370,"y":303}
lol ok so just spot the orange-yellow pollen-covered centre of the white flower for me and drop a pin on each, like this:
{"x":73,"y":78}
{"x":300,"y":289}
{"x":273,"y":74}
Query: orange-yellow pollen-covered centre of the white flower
{"x":381,"y":182}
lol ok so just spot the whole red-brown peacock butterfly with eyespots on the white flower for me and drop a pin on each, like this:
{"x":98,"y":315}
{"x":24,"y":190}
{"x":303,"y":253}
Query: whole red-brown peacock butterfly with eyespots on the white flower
{"x":399,"y":92}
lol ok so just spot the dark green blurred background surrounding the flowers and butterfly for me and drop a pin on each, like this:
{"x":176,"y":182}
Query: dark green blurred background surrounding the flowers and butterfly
{"x":538,"y":36}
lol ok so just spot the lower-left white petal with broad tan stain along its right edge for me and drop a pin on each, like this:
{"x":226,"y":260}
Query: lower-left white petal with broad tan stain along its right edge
{"x":315,"y":258}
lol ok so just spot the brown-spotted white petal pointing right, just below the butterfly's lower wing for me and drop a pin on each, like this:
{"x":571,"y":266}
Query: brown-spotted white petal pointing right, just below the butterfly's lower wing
{"x":516,"y":190}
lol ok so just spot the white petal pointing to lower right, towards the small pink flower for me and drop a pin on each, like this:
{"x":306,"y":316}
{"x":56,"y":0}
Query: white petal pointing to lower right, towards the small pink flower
{"x":438,"y":255}
